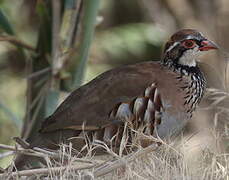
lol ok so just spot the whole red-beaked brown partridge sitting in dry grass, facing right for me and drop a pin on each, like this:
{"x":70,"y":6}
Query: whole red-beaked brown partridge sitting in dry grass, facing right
{"x":157,"y":98}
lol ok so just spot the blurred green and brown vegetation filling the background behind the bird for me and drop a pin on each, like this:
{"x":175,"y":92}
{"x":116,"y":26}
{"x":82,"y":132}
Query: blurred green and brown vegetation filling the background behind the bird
{"x":49,"y":48}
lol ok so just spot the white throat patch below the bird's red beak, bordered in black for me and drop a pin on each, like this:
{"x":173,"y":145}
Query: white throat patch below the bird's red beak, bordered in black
{"x":189,"y":57}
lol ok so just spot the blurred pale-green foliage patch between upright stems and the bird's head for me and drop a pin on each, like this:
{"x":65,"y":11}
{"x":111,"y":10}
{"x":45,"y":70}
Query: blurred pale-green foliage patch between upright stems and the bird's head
{"x":130,"y":43}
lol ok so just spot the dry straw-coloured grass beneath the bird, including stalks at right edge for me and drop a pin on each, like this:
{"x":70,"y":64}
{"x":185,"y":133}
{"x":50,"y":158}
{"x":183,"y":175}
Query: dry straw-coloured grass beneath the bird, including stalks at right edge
{"x":167,"y":162}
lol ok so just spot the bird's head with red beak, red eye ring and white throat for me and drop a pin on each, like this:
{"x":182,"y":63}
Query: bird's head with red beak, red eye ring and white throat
{"x":185,"y":46}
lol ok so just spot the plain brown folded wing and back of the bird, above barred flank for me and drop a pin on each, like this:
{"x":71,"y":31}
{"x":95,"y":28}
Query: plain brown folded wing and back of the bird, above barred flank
{"x":92,"y":103}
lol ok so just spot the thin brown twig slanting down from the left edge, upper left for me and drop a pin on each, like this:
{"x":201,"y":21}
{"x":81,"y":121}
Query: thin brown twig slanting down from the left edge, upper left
{"x":17,"y":42}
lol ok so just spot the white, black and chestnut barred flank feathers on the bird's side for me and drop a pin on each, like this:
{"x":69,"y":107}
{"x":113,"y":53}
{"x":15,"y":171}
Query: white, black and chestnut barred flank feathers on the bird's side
{"x":140,"y":113}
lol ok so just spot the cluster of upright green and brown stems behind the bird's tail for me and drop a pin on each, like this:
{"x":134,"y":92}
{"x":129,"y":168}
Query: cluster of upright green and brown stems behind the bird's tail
{"x":53,"y":52}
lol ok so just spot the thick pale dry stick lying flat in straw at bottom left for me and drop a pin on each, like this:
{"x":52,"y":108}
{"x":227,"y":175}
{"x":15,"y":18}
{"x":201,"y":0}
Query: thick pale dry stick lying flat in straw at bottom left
{"x":45,"y":171}
